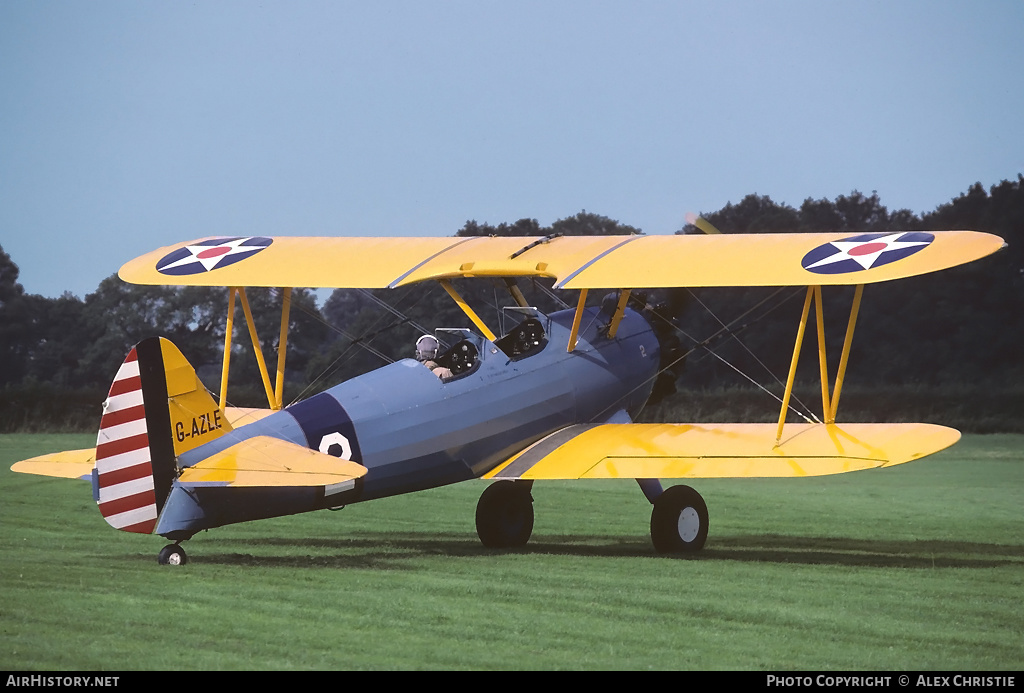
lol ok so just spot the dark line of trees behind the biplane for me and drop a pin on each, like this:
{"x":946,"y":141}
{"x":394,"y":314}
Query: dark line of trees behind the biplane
{"x":957,"y":329}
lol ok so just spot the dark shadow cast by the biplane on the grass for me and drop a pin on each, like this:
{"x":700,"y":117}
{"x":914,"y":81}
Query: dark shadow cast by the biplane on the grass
{"x":396,"y":551}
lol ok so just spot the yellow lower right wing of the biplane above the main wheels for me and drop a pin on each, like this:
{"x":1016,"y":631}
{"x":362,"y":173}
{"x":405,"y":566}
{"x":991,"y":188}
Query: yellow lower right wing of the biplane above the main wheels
{"x":728,"y":451}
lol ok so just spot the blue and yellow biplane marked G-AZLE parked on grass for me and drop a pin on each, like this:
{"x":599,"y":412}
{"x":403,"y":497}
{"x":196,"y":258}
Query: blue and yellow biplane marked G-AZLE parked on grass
{"x":548,"y":397}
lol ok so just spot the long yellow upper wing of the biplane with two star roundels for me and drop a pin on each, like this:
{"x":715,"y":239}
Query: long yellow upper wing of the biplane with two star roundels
{"x":575,"y":263}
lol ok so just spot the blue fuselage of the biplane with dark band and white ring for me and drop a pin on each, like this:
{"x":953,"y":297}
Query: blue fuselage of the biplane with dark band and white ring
{"x":413,"y":431}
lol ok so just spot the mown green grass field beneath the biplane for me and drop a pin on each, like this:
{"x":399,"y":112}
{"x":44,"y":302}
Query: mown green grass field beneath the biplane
{"x":918,"y":568}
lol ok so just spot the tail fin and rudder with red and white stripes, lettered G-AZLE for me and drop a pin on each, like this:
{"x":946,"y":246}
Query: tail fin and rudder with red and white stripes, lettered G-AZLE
{"x":157,"y":409}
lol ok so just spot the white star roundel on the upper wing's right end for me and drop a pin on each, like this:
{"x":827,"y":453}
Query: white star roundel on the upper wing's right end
{"x":865,"y":252}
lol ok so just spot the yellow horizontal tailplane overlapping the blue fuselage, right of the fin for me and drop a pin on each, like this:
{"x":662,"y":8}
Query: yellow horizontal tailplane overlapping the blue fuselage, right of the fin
{"x":264,"y":461}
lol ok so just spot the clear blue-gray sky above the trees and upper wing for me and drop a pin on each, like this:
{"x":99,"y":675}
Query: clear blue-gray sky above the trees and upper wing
{"x":127,"y":126}
